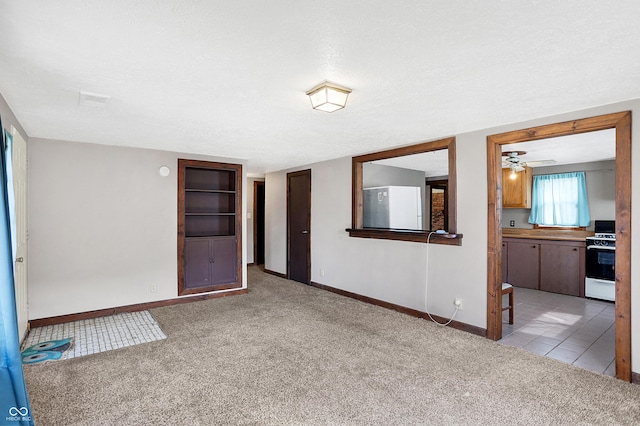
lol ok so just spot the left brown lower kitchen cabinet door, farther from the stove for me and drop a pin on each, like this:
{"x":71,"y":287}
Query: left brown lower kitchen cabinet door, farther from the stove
{"x":523,"y":264}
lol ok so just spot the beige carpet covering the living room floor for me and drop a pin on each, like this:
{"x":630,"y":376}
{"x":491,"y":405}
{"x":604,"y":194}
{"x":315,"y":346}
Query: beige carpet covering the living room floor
{"x":287,"y":353}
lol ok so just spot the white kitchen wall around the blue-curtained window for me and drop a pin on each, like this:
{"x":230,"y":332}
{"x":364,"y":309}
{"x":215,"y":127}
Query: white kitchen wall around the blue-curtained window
{"x":601,"y":192}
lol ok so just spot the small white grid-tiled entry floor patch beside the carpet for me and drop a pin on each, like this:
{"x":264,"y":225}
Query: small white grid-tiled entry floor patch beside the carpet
{"x":100,"y":334}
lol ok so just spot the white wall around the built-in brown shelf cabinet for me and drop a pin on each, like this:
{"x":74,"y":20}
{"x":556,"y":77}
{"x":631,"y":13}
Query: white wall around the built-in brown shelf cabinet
{"x":102,"y":226}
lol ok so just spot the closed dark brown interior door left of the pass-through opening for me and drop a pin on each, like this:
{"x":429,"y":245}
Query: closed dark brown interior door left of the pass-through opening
{"x":298,"y":225}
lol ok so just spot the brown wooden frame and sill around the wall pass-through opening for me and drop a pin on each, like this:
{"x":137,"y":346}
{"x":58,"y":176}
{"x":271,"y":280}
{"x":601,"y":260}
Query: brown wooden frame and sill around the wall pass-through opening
{"x":357,"y":230}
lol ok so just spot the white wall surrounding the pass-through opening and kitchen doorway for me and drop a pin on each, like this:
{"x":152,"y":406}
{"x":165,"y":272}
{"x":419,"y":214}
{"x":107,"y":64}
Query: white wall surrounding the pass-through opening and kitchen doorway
{"x":396,"y":271}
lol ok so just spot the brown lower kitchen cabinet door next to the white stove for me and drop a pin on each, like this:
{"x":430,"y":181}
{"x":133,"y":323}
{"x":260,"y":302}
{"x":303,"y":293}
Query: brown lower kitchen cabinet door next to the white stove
{"x":560,"y":268}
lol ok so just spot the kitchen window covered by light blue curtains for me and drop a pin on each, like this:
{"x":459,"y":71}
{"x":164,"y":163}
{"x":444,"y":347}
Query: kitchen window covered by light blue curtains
{"x":560,"y":200}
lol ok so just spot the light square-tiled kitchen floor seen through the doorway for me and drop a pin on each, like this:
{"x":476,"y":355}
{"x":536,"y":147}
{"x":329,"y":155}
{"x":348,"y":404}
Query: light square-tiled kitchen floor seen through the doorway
{"x":570,"y":329}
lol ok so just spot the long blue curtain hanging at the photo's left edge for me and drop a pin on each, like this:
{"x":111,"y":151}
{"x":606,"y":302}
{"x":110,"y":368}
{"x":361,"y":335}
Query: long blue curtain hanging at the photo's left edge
{"x":14,"y":401}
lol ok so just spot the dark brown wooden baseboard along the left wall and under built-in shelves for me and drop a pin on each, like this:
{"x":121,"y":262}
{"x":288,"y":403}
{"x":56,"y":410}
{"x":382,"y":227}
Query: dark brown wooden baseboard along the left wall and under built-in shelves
{"x":131,"y":308}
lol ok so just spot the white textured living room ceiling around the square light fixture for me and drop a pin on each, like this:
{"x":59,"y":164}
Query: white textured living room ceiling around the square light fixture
{"x":228,"y":78}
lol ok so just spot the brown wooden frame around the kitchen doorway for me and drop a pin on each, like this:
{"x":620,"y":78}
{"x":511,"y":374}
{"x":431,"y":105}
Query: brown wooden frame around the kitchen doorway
{"x":621,"y":122}
